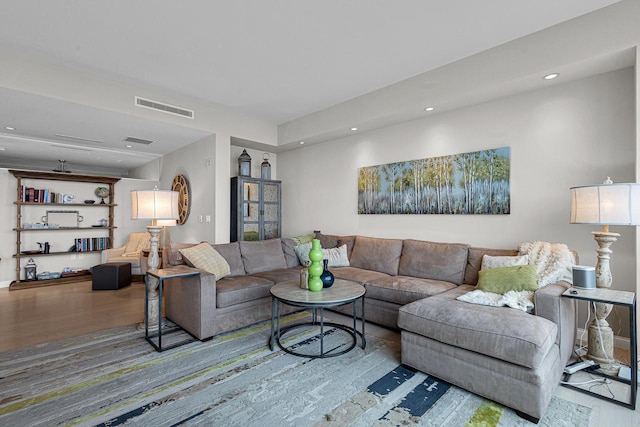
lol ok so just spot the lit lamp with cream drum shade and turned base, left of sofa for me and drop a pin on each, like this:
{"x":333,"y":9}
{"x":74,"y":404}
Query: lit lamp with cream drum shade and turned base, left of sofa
{"x":157,"y":206}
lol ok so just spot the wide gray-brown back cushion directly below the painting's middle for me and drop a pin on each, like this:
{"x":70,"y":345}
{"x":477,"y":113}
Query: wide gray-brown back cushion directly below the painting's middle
{"x":432,"y":260}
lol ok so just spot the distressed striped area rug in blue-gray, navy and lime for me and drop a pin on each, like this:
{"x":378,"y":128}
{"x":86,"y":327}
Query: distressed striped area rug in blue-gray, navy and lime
{"x":116,"y":378}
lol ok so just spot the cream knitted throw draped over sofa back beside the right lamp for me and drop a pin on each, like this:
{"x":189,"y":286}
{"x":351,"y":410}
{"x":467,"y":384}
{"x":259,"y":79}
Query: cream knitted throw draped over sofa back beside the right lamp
{"x":553,"y":261}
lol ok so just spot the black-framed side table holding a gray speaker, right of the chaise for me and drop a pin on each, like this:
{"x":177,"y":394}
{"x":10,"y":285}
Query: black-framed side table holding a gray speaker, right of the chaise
{"x":625,"y":299}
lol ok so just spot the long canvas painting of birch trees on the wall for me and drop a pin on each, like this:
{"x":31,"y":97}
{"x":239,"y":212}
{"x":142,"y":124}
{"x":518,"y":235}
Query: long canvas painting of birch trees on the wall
{"x":467,"y":183}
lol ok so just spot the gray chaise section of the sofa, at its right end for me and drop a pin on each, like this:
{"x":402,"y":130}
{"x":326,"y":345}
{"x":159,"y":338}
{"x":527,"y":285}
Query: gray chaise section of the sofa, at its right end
{"x":504,"y":354}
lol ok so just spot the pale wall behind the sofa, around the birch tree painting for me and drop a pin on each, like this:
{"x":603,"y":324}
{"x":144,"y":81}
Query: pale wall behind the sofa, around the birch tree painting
{"x":566,"y":135}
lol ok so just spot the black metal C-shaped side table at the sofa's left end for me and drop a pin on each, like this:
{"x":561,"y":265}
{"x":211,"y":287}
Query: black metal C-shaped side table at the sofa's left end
{"x":161,"y":275}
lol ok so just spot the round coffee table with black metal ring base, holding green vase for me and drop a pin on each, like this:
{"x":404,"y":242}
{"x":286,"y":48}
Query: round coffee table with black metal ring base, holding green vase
{"x":341,"y":293}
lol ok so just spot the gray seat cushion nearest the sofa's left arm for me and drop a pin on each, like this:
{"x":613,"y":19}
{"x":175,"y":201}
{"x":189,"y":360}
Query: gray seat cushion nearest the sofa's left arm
{"x":236,"y":290}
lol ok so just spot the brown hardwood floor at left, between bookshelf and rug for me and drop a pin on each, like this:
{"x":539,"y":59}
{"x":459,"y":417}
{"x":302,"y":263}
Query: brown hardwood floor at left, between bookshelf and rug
{"x":34,"y":316}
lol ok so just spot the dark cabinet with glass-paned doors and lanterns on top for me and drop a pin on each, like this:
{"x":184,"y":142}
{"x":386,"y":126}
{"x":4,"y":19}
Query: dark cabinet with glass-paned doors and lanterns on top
{"x":255,"y":208}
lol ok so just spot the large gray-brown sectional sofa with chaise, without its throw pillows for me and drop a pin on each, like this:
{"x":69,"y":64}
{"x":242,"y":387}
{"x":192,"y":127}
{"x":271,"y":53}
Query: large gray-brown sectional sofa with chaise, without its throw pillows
{"x":504,"y":354}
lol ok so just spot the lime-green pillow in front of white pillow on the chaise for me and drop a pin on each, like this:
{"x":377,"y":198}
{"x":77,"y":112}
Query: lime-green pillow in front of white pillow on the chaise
{"x":501,"y":280}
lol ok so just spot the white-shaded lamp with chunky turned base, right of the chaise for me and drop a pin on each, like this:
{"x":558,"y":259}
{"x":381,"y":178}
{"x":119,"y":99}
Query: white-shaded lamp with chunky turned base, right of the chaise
{"x":605,"y":204}
